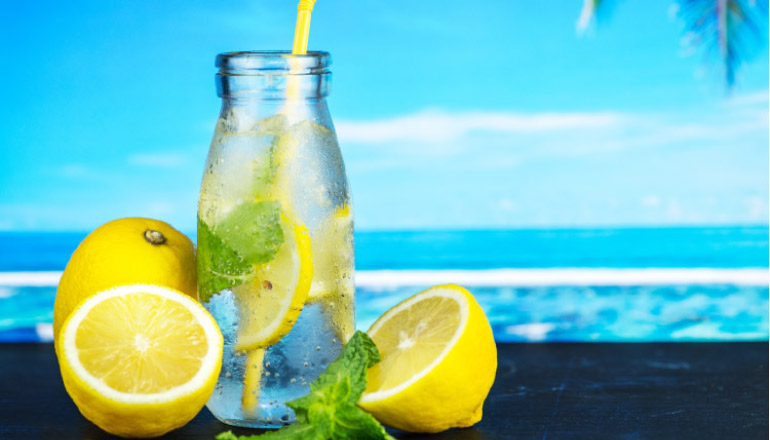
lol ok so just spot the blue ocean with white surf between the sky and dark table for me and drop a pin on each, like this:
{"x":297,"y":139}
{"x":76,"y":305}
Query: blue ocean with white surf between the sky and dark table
{"x":644,"y":284}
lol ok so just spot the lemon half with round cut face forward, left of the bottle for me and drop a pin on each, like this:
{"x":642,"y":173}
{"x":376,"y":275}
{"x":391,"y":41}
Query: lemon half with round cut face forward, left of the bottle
{"x":140,"y":360}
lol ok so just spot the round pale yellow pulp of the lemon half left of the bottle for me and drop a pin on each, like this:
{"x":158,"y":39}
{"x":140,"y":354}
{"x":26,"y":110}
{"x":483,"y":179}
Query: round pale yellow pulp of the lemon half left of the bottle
{"x":127,"y":345}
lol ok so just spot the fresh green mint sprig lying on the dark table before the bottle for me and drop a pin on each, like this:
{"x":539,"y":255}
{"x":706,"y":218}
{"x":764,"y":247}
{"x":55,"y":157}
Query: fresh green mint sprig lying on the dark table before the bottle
{"x":329,"y":412}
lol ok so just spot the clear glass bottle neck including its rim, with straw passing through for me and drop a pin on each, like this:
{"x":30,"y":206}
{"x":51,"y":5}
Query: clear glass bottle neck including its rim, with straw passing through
{"x":273,"y":76}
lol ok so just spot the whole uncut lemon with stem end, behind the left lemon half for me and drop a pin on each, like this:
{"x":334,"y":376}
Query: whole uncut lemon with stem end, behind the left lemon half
{"x":126,"y":251}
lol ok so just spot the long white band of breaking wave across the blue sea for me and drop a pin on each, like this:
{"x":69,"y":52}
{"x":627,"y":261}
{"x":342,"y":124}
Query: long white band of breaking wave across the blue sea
{"x":501,"y":277}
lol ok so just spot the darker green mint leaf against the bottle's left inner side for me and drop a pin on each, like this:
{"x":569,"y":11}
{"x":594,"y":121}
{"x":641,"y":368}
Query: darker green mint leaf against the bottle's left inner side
{"x":219,"y":267}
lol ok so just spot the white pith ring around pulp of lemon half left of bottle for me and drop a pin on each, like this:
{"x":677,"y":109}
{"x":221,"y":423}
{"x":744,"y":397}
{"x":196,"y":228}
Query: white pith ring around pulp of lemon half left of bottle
{"x":209,"y":362}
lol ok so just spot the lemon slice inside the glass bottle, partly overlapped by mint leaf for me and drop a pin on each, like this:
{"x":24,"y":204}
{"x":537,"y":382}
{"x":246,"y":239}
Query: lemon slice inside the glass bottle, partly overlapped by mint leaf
{"x":271,"y":302}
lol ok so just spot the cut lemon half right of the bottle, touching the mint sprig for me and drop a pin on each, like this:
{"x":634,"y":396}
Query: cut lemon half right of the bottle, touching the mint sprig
{"x":438,"y":362}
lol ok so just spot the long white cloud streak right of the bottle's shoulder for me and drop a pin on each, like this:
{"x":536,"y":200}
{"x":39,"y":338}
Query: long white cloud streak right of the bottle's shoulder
{"x":441,"y":126}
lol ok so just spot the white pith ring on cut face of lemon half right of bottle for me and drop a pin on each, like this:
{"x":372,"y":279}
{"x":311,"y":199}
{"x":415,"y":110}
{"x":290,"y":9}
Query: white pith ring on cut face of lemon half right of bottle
{"x":452,"y":291}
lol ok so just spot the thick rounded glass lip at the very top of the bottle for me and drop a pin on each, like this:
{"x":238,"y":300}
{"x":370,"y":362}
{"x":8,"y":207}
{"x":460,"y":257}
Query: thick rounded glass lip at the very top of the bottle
{"x":272,"y":63}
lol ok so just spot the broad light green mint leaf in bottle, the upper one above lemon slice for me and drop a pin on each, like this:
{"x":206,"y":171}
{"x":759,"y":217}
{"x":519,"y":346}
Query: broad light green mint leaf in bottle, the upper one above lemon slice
{"x":253,"y":230}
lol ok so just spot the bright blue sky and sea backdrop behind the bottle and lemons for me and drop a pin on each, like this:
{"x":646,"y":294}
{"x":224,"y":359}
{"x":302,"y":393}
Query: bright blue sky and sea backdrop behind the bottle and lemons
{"x":592,"y":171}
